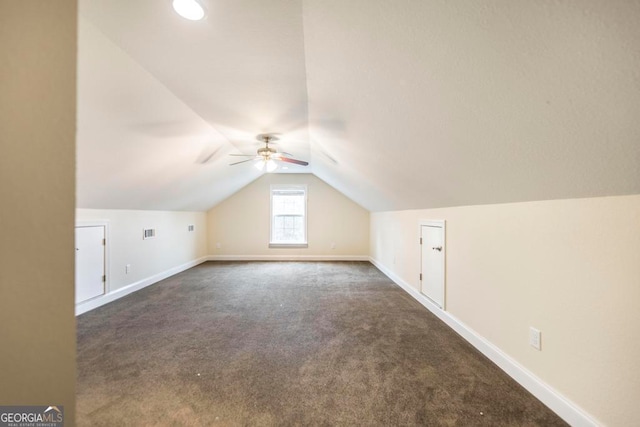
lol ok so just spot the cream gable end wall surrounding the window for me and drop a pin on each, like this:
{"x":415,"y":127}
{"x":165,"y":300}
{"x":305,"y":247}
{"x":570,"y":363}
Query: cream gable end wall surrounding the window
{"x":241,"y":223}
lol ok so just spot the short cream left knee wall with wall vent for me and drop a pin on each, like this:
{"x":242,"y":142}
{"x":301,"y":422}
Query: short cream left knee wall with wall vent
{"x":173,"y":246}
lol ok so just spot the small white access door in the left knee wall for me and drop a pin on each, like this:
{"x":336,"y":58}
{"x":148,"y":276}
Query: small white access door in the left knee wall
{"x":90,"y":271}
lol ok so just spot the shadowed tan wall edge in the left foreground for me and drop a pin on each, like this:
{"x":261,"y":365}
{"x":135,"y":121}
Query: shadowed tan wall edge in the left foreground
{"x":37,"y":189}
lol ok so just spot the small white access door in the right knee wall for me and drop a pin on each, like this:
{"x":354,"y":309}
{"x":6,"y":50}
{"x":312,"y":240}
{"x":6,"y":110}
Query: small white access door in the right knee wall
{"x":432,"y":265}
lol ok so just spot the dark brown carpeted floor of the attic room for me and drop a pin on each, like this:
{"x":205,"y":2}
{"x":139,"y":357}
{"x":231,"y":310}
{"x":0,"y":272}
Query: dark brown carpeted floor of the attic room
{"x":286,"y":343}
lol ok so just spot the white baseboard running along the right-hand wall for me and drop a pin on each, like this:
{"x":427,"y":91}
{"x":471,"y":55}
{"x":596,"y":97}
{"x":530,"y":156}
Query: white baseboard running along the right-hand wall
{"x":566,"y":409}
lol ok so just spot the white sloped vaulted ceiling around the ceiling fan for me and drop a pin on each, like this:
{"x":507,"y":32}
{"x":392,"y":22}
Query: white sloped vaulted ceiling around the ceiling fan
{"x":397,"y":104}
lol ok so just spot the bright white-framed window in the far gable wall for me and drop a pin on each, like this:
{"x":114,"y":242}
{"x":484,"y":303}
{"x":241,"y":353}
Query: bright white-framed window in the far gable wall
{"x":288,"y":216}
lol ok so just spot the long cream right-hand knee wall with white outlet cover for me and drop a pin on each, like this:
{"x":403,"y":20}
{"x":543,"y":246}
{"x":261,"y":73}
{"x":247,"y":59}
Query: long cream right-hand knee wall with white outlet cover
{"x":570,"y":268}
